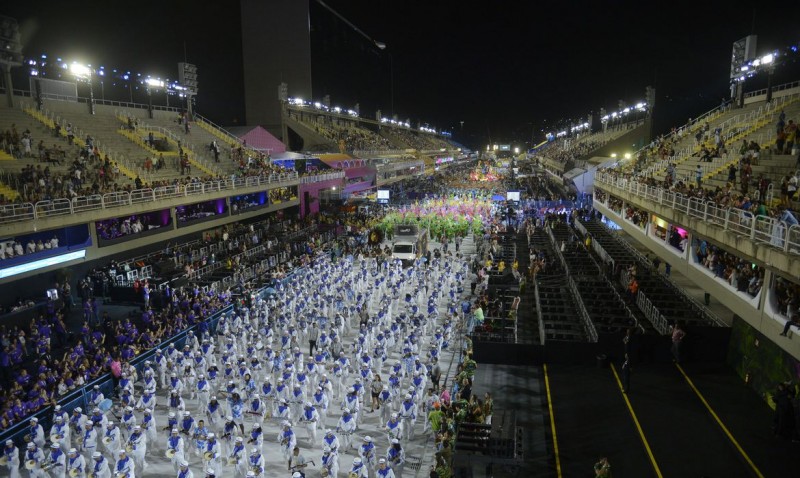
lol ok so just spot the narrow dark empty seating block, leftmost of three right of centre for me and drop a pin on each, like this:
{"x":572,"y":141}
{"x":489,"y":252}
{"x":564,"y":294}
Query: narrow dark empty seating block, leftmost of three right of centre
{"x":558,"y":313}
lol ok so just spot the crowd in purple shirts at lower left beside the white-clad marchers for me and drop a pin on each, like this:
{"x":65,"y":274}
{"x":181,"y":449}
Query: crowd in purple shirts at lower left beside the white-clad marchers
{"x":48,"y":362}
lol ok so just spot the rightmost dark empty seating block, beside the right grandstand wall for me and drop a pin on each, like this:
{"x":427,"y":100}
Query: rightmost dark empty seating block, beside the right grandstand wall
{"x":670,"y":305}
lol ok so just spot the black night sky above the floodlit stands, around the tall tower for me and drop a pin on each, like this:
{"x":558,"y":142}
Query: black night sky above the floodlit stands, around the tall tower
{"x":507,"y":70}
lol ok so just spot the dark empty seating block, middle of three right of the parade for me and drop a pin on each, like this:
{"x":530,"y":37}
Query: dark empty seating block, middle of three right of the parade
{"x":604,"y":304}
